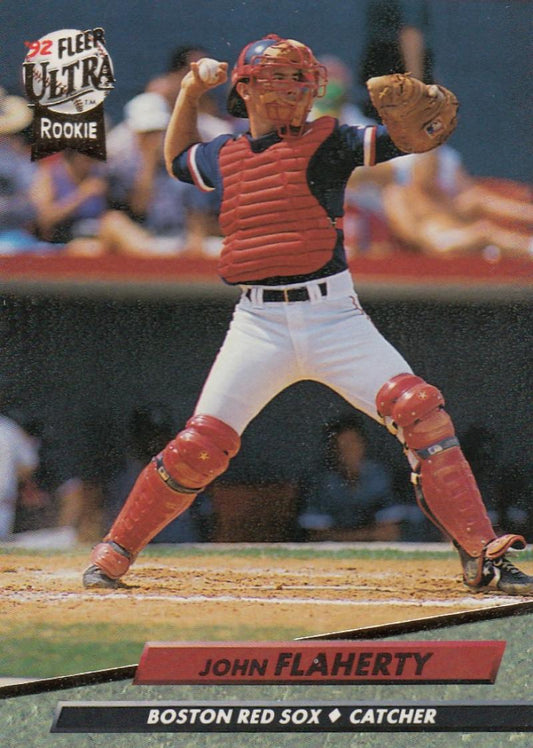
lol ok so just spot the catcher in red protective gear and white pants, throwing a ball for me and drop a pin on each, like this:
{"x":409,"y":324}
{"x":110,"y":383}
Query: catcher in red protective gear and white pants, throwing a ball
{"x":281,"y":189}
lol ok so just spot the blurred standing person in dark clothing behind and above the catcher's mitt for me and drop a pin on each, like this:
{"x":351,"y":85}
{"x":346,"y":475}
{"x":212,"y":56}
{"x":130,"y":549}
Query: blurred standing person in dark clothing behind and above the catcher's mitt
{"x":397,"y":34}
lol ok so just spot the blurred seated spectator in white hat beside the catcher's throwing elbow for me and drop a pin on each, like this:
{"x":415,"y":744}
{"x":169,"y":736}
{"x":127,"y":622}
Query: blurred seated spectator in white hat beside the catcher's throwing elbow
{"x":156,"y":215}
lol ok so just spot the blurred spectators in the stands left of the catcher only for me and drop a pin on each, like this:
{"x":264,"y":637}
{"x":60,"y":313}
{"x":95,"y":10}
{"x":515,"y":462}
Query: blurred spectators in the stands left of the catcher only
{"x":127,"y":204}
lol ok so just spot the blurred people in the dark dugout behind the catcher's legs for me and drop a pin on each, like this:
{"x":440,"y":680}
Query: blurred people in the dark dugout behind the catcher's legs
{"x":349,"y":494}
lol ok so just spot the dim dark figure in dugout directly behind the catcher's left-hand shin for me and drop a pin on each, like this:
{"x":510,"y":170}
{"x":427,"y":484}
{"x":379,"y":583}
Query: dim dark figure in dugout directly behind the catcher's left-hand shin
{"x":149,"y":429}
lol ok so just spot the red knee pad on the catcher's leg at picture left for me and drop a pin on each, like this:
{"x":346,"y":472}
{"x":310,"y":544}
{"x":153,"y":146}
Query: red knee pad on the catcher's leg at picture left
{"x":198,"y":454}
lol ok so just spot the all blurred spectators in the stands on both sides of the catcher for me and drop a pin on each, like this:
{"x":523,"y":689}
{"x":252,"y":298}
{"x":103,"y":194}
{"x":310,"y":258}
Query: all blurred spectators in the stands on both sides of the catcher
{"x":72,"y":204}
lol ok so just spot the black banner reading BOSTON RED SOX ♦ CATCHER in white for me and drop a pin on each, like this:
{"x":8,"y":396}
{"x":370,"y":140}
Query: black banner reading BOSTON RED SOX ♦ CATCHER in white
{"x":301,"y":717}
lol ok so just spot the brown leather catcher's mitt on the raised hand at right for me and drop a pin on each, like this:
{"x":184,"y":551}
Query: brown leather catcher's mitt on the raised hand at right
{"x":419,"y":117}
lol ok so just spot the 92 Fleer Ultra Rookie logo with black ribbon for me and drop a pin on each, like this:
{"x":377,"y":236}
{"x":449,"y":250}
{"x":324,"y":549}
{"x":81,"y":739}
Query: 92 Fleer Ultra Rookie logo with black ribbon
{"x":67,"y":75}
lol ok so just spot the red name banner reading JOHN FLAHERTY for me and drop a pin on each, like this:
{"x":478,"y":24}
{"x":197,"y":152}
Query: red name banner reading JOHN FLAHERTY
{"x":328,"y":662}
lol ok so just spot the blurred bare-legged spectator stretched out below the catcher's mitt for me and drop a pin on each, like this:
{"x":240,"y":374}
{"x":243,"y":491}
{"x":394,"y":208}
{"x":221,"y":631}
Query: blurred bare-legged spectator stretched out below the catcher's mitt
{"x":442,"y":211}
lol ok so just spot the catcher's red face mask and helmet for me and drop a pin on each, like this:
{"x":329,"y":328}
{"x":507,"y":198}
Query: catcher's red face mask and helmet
{"x":286,"y":77}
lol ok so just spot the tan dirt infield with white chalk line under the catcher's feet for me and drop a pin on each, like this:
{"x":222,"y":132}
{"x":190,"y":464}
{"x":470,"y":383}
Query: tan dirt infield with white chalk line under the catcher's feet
{"x":239,"y":592}
